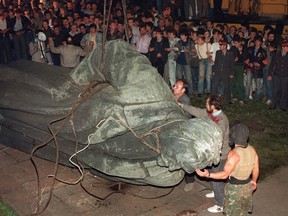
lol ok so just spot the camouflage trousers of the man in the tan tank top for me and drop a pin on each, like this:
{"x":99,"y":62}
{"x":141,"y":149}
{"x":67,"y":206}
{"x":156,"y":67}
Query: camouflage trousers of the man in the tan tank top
{"x":238,"y":199}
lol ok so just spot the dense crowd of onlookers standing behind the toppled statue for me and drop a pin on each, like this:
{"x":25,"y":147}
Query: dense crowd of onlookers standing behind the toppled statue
{"x":60,"y":32}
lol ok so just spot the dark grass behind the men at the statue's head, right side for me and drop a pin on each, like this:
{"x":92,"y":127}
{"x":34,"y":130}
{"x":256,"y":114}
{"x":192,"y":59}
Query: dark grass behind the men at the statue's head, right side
{"x":268,"y":132}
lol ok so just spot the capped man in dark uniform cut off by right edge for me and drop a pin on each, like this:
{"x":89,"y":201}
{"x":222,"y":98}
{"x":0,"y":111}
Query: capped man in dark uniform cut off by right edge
{"x":278,"y":73}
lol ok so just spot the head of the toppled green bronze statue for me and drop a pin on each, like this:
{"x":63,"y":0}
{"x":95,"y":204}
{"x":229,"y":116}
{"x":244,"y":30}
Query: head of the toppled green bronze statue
{"x":190,"y":144}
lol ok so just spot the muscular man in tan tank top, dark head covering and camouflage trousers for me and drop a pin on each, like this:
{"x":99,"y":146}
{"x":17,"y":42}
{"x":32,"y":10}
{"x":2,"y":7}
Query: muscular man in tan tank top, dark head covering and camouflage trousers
{"x":242,"y":162}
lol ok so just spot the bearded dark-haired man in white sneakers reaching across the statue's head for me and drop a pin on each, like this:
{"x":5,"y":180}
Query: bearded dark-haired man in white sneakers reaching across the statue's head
{"x":214,"y":111}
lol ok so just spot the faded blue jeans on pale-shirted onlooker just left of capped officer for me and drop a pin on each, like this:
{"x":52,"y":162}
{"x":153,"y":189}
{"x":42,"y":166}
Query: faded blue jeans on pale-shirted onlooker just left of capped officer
{"x":205,"y":74}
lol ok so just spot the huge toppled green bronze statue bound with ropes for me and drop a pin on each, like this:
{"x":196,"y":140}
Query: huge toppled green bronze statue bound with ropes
{"x":117,"y":104}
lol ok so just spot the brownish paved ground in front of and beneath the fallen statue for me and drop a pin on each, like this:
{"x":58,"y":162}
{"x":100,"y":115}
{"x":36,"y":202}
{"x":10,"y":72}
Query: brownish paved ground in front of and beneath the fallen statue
{"x":18,"y":187}
